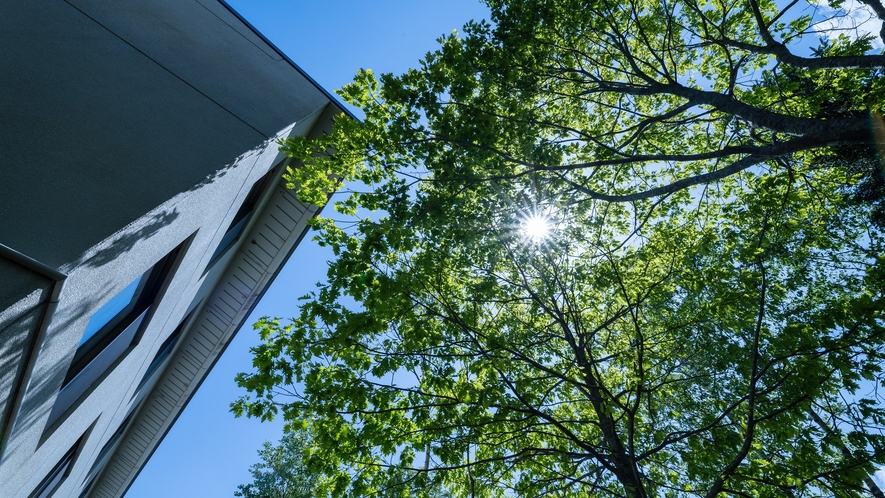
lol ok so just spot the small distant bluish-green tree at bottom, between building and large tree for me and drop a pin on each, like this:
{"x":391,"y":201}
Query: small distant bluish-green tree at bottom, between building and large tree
{"x":281,"y":472}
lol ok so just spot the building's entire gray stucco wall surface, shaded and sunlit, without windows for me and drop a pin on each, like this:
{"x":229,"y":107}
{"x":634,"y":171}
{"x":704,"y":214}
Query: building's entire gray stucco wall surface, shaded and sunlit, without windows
{"x":128,"y":127}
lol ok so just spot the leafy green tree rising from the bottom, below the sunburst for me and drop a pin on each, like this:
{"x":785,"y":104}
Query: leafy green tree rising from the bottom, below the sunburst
{"x":689,"y":360}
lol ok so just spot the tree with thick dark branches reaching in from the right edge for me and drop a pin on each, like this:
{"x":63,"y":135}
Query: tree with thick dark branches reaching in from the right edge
{"x":606,"y":96}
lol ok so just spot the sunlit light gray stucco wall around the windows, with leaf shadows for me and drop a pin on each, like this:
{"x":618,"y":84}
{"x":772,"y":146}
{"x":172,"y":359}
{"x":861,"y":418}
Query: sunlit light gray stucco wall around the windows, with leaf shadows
{"x":199,"y":217}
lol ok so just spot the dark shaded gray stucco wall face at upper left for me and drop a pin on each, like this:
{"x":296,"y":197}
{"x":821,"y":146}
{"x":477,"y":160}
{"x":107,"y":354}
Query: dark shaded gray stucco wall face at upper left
{"x":111,"y":108}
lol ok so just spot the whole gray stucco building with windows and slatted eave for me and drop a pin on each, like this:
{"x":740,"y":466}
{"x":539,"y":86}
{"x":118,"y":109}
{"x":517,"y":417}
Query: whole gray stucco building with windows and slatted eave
{"x":141,"y":218}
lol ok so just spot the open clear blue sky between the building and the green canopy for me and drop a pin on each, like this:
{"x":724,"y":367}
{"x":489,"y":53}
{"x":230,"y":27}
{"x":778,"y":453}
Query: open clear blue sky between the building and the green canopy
{"x":207,"y":452}
